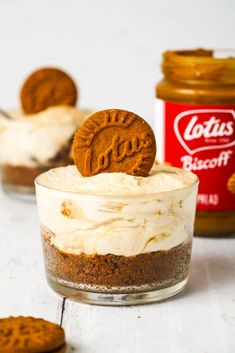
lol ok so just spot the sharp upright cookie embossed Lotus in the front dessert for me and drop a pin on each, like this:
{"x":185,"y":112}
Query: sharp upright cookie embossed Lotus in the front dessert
{"x":114,"y":141}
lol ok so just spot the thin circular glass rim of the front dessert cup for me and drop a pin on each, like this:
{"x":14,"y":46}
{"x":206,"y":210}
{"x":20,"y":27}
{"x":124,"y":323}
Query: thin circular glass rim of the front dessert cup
{"x":120,"y":196}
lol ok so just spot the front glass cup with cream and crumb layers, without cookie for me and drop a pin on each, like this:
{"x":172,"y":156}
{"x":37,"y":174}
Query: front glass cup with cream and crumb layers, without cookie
{"x":117,"y":249}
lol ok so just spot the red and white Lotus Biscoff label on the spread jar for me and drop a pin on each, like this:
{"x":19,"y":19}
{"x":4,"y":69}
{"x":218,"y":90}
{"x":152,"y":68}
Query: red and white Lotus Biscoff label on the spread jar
{"x":200,"y":139}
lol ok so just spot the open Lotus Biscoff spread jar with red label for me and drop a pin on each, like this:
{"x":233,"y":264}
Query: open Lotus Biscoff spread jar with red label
{"x":195,"y":129}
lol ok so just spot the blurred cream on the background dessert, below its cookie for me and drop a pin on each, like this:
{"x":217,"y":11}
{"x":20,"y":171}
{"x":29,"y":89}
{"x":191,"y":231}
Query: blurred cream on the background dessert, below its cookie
{"x":34,"y":140}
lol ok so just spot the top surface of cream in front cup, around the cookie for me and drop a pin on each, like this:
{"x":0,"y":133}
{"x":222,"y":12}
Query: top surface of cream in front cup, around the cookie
{"x":160,"y":179}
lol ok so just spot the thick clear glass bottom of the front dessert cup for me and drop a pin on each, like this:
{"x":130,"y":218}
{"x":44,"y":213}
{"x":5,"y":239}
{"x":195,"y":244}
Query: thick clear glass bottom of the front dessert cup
{"x":115,"y":299}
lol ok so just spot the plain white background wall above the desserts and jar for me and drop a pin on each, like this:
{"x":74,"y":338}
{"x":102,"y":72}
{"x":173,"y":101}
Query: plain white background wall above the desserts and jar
{"x":112,"y":48}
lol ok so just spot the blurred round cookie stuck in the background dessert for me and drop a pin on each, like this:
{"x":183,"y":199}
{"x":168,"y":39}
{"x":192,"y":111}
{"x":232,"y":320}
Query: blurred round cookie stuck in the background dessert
{"x":45,"y":88}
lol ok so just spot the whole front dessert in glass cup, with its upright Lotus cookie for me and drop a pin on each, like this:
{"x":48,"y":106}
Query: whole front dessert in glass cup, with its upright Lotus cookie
{"x":113,"y":232}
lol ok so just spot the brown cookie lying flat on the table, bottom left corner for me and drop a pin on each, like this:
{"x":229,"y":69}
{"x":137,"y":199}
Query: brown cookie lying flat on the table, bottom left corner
{"x":30,"y":335}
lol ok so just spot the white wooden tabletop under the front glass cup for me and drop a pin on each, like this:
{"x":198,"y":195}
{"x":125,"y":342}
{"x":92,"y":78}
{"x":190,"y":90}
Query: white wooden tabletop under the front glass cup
{"x":200,"y":320}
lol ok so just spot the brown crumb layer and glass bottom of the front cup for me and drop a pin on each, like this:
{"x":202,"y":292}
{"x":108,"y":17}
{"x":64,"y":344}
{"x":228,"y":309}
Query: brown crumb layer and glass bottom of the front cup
{"x":117,"y":280}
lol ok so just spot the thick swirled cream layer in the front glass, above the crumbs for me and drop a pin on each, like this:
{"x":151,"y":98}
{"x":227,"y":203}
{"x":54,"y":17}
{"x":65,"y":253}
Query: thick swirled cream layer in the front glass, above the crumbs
{"x":116,"y":213}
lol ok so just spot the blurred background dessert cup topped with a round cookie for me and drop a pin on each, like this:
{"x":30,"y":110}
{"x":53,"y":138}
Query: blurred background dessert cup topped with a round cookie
{"x":39,"y":136}
